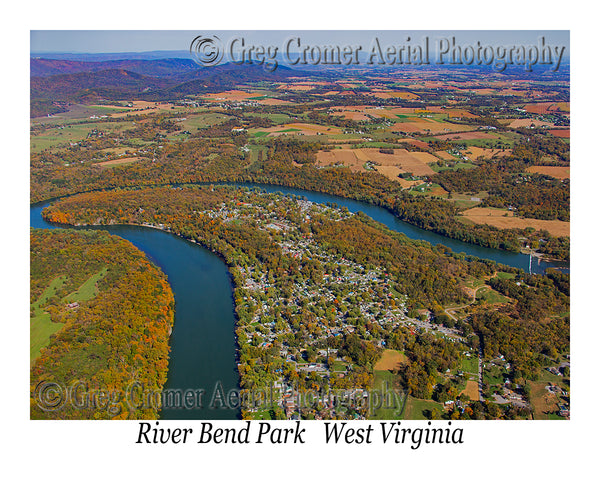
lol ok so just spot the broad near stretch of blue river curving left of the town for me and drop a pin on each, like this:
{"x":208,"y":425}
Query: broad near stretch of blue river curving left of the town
{"x":203,"y":354}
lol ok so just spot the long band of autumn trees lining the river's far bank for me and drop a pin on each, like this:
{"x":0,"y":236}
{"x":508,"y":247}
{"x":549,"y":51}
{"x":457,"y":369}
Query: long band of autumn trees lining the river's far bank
{"x":430,"y":213}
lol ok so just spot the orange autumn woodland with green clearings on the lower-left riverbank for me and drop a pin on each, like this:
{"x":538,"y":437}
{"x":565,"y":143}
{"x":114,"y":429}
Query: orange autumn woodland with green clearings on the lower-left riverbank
{"x":113,"y":338}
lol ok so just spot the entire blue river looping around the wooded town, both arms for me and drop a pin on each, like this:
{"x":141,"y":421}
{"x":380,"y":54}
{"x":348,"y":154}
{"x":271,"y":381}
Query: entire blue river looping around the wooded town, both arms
{"x":203,"y":352}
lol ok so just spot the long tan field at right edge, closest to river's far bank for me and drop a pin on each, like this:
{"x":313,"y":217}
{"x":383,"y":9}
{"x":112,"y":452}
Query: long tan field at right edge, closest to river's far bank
{"x":497,"y":218}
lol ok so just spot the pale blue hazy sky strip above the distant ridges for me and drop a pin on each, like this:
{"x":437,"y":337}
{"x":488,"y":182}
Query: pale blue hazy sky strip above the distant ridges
{"x":110,"y":41}
